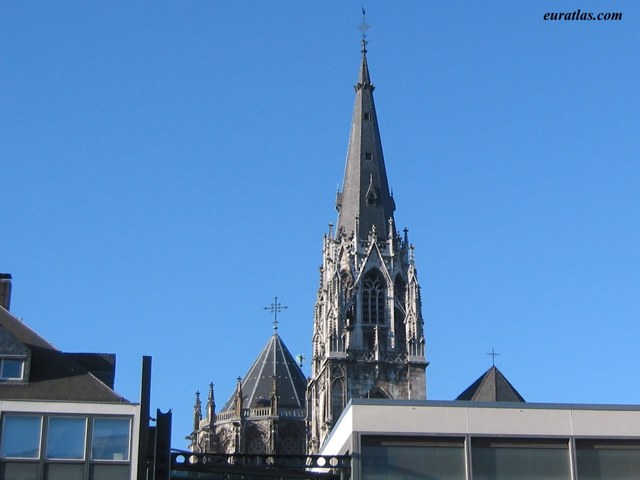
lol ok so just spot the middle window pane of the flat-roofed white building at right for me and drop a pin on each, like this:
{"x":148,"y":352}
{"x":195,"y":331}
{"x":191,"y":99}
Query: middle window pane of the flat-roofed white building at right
{"x":521,"y":459}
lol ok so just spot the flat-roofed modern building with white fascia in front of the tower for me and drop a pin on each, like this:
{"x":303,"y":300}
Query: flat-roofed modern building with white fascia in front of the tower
{"x":462,"y":440}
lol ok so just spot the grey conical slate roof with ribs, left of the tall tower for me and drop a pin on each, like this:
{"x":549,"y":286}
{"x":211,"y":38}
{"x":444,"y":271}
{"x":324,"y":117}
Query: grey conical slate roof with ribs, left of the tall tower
{"x":274,"y":360}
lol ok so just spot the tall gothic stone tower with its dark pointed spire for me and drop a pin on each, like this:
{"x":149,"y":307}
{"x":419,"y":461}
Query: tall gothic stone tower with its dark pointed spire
{"x":368,"y":339}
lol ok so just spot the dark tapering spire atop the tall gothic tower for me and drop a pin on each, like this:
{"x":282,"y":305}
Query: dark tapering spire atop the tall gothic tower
{"x":365,"y":200}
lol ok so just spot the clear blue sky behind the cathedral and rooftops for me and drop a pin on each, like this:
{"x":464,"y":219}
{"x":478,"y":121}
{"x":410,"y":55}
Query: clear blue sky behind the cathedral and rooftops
{"x":166,"y":168}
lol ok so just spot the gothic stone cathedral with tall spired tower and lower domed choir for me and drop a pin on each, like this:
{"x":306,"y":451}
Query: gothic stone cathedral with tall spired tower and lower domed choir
{"x":368,"y":339}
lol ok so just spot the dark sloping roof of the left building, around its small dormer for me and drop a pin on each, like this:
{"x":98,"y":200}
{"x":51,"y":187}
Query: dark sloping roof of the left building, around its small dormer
{"x":53,"y":374}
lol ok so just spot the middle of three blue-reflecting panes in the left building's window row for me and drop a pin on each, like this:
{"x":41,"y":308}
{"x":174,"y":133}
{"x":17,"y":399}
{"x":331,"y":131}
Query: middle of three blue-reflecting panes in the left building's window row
{"x":65,"y":437}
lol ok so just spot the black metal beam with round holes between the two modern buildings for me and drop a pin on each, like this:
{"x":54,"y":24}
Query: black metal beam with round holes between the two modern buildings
{"x":221,"y":466}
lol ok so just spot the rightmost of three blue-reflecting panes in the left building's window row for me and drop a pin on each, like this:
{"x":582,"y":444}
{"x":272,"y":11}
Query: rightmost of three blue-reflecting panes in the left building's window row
{"x":110,"y":439}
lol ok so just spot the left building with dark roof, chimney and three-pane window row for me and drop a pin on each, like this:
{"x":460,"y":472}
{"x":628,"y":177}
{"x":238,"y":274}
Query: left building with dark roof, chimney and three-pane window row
{"x":60,"y":418}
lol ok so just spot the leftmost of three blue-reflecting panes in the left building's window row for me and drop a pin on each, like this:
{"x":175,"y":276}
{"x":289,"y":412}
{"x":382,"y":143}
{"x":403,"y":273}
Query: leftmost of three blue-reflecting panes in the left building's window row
{"x":21,"y":436}
